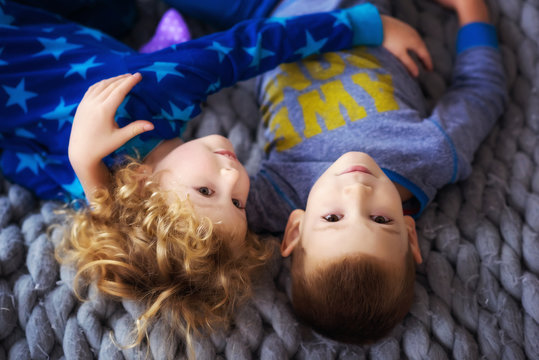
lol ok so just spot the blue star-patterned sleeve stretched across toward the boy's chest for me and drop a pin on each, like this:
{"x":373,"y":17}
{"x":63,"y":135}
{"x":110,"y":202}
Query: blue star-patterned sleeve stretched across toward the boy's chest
{"x":177,"y":79}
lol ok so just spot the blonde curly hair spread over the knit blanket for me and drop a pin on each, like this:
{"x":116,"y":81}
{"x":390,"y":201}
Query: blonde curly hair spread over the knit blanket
{"x":134,"y":243}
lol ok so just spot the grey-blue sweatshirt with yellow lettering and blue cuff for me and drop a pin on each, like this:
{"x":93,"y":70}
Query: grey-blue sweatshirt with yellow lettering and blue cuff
{"x":364,"y":100}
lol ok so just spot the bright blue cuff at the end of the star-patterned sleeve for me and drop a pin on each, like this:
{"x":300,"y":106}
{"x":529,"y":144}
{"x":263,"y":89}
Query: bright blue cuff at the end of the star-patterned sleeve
{"x":366,"y":24}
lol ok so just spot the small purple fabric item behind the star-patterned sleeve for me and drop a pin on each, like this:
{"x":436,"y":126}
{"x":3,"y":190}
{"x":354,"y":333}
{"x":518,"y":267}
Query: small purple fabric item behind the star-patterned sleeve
{"x":171,"y":30}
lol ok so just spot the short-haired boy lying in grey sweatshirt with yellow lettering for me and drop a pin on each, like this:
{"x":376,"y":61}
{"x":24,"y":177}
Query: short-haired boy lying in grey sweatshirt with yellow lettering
{"x":354,"y":247}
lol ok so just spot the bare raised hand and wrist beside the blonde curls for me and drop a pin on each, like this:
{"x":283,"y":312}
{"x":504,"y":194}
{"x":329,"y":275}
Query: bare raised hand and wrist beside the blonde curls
{"x":95,"y":134}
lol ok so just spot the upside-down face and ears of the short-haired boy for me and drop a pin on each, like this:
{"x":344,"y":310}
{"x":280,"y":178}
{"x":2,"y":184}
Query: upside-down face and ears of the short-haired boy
{"x":353,"y":208}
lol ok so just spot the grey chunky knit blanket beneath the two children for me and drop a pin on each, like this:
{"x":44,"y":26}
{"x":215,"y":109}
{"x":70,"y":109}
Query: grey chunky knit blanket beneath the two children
{"x":477,"y":292}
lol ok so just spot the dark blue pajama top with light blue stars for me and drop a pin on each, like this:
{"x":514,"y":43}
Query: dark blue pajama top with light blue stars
{"x":47,"y":63}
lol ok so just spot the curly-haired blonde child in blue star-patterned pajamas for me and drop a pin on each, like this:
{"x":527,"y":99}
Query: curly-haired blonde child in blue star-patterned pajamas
{"x":169,"y":231}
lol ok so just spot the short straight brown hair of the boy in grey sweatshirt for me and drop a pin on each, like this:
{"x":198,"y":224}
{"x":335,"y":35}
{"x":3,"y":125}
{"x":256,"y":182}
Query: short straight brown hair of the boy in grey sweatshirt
{"x":357,"y":299}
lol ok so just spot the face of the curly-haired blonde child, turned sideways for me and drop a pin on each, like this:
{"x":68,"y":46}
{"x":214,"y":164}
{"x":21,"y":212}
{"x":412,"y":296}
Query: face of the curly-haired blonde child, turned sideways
{"x":207,"y":171}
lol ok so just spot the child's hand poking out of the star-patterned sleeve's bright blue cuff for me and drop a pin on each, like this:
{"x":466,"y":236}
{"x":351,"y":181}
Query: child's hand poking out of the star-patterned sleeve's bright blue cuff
{"x":399,"y":38}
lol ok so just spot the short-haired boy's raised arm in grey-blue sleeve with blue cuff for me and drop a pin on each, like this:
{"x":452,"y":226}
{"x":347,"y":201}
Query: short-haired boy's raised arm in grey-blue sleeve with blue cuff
{"x":476,"y":98}
